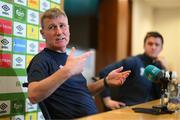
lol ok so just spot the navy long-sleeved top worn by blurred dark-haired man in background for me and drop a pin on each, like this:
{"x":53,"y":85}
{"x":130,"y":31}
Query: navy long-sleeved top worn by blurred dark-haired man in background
{"x":136,"y":89}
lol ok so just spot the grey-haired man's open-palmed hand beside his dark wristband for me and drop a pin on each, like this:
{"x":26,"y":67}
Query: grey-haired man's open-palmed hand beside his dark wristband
{"x":116,"y":77}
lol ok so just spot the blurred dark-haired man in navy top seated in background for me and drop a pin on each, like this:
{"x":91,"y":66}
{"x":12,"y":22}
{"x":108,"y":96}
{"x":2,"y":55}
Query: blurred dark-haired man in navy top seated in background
{"x":137,"y":88}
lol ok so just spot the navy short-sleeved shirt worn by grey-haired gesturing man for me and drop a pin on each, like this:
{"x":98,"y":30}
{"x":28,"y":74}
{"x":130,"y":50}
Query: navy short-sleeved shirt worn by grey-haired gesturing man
{"x":72,"y":99}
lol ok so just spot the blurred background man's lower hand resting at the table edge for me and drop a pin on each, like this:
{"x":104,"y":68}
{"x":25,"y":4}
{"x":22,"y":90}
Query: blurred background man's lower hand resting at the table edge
{"x":112,"y":104}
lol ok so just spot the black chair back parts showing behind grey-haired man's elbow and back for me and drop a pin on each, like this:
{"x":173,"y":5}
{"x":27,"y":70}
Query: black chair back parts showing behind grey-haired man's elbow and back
{"x":42,"y":106}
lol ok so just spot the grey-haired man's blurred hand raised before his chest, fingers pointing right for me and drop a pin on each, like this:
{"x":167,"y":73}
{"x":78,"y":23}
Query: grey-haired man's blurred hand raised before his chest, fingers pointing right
{"x":76,"y":64}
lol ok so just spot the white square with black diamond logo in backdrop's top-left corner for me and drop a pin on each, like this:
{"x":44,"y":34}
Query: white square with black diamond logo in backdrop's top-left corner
{"x":6,"y":9}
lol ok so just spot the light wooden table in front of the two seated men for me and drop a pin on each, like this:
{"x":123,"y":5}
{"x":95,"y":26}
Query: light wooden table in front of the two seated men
{"x":128,"y":114}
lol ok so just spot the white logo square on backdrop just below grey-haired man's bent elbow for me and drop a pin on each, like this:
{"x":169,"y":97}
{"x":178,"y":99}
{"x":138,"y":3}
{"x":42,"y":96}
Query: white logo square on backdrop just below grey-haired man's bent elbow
{"x":30,"y":107}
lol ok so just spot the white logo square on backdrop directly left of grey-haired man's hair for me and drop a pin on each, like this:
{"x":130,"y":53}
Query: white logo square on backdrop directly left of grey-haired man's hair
{"x":33,"y":17}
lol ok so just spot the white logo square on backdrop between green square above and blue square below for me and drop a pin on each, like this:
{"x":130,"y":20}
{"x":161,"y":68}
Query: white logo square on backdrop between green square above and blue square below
{"x":19,"y":29}
